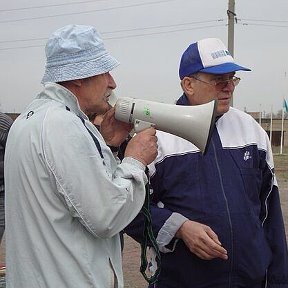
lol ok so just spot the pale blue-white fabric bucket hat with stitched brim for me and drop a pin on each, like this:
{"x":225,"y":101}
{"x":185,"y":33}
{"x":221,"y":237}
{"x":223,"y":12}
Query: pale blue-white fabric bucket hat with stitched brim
{"x":76,"y":52}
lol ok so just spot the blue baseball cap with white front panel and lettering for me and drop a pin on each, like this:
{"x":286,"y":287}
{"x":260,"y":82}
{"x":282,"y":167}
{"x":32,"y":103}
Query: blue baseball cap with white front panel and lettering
{"x":209,"y":55}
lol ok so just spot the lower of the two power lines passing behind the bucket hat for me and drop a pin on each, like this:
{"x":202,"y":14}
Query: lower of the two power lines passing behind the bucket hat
{"x":124,"y":36}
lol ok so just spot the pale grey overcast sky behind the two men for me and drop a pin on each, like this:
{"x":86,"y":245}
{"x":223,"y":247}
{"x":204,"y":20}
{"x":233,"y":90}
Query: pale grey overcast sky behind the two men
{"x":148,"y":38}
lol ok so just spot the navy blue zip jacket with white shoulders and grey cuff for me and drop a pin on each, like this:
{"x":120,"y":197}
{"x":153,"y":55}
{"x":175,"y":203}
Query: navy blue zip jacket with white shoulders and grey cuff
{"x":233,"y":190}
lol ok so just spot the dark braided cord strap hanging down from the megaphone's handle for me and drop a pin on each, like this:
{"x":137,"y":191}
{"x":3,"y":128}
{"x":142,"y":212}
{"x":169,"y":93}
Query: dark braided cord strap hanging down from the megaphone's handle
{"x":148,"y":236}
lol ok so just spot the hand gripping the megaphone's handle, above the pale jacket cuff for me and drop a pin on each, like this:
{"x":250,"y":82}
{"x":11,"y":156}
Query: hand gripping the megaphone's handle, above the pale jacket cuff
{"x":143,"y":146}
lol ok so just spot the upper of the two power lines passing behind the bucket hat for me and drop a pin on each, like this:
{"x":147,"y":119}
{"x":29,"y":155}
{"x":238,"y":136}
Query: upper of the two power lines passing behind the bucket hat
{"x":125,"y":30}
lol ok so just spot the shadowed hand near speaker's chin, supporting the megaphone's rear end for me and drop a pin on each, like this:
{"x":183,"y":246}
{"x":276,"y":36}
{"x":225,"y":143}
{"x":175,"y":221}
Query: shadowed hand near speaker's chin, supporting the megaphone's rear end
{"x":113,"y":131}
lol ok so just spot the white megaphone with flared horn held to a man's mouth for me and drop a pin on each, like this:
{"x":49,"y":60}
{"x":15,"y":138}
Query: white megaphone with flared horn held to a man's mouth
{"x":193,"y":123}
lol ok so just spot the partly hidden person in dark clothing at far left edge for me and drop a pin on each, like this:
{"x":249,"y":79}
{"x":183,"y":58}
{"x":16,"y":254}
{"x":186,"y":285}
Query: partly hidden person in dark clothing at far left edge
{"x":5,"y":124}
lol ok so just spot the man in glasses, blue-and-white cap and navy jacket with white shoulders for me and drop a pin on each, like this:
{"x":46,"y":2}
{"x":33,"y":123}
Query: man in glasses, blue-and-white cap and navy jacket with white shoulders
{"x":217,"y":217}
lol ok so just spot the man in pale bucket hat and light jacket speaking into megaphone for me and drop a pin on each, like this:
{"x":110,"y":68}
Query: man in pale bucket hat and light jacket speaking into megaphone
{"x":68,"y":197}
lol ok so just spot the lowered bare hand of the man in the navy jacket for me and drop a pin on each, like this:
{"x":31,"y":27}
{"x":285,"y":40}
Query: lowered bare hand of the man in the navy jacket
{"x":201,"y":240}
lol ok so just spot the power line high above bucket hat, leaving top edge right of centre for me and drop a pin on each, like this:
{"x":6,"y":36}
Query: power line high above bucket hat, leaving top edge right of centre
{"x":85,"y":12}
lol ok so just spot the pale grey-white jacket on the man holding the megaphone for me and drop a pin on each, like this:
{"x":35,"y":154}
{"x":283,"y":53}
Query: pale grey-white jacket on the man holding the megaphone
{"x":65,"y":205}
